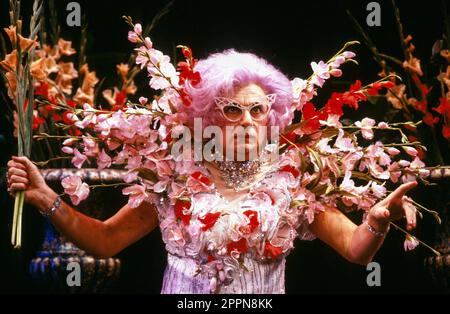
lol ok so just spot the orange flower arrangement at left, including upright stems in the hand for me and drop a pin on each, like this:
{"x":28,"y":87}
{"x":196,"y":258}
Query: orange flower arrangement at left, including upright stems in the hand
{"x":45,"y":76}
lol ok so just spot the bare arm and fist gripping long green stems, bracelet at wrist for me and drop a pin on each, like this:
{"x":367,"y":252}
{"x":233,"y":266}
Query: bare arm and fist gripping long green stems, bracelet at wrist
{"x":100,"y":238}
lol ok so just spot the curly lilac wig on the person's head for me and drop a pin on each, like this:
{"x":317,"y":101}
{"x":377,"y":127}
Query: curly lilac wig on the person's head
{"x":223,"y":73}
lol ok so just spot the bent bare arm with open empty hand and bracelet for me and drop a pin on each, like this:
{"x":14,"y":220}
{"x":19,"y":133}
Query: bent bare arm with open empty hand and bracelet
{"x":357,"y":243}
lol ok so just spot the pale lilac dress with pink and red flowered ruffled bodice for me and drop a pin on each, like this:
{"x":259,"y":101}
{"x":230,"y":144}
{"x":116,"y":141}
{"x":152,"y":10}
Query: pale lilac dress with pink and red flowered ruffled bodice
{"x":218,"y":246}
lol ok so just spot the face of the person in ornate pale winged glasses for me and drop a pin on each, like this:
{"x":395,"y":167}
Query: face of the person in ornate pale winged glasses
{"x":243,"y":119}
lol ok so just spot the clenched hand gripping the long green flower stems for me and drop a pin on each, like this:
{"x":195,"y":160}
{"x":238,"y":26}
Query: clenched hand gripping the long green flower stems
{"x":23,"y":175}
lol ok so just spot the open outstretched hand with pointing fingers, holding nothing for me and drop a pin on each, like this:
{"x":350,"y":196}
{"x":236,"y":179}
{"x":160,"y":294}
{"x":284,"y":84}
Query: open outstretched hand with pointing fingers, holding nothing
{"x":394,"y":207}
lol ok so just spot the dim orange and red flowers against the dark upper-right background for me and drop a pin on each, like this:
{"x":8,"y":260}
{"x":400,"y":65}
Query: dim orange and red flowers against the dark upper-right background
{"x":420,"y":96}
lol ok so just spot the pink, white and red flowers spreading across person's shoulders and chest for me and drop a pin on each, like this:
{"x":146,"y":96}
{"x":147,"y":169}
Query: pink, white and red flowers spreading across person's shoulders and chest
{"x":322,"y":161}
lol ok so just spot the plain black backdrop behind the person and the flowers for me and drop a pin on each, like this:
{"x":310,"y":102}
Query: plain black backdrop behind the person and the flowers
{"x":290,"y":35}
